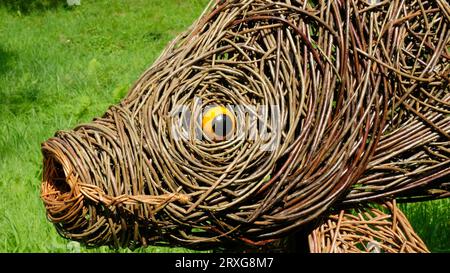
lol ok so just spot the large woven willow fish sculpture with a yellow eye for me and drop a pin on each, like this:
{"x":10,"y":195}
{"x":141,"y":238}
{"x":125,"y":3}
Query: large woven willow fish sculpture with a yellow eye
{"x":264,"y":118}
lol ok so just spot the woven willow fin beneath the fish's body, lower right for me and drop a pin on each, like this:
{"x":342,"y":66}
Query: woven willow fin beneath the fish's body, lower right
{"x":366,"y":230}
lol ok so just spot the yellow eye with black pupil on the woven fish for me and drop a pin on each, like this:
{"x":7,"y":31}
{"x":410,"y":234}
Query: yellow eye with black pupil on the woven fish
{"x":218,"y":123}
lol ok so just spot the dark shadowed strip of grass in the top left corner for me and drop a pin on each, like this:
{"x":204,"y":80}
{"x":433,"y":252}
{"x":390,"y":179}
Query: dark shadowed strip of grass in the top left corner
{"x":27,"y":6}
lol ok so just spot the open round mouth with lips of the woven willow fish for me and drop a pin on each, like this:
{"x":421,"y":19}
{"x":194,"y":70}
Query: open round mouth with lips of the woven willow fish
{"x":63,"y":194}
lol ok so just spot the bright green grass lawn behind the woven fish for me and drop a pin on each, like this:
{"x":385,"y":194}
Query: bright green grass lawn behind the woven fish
{"x":64,"y":66}
